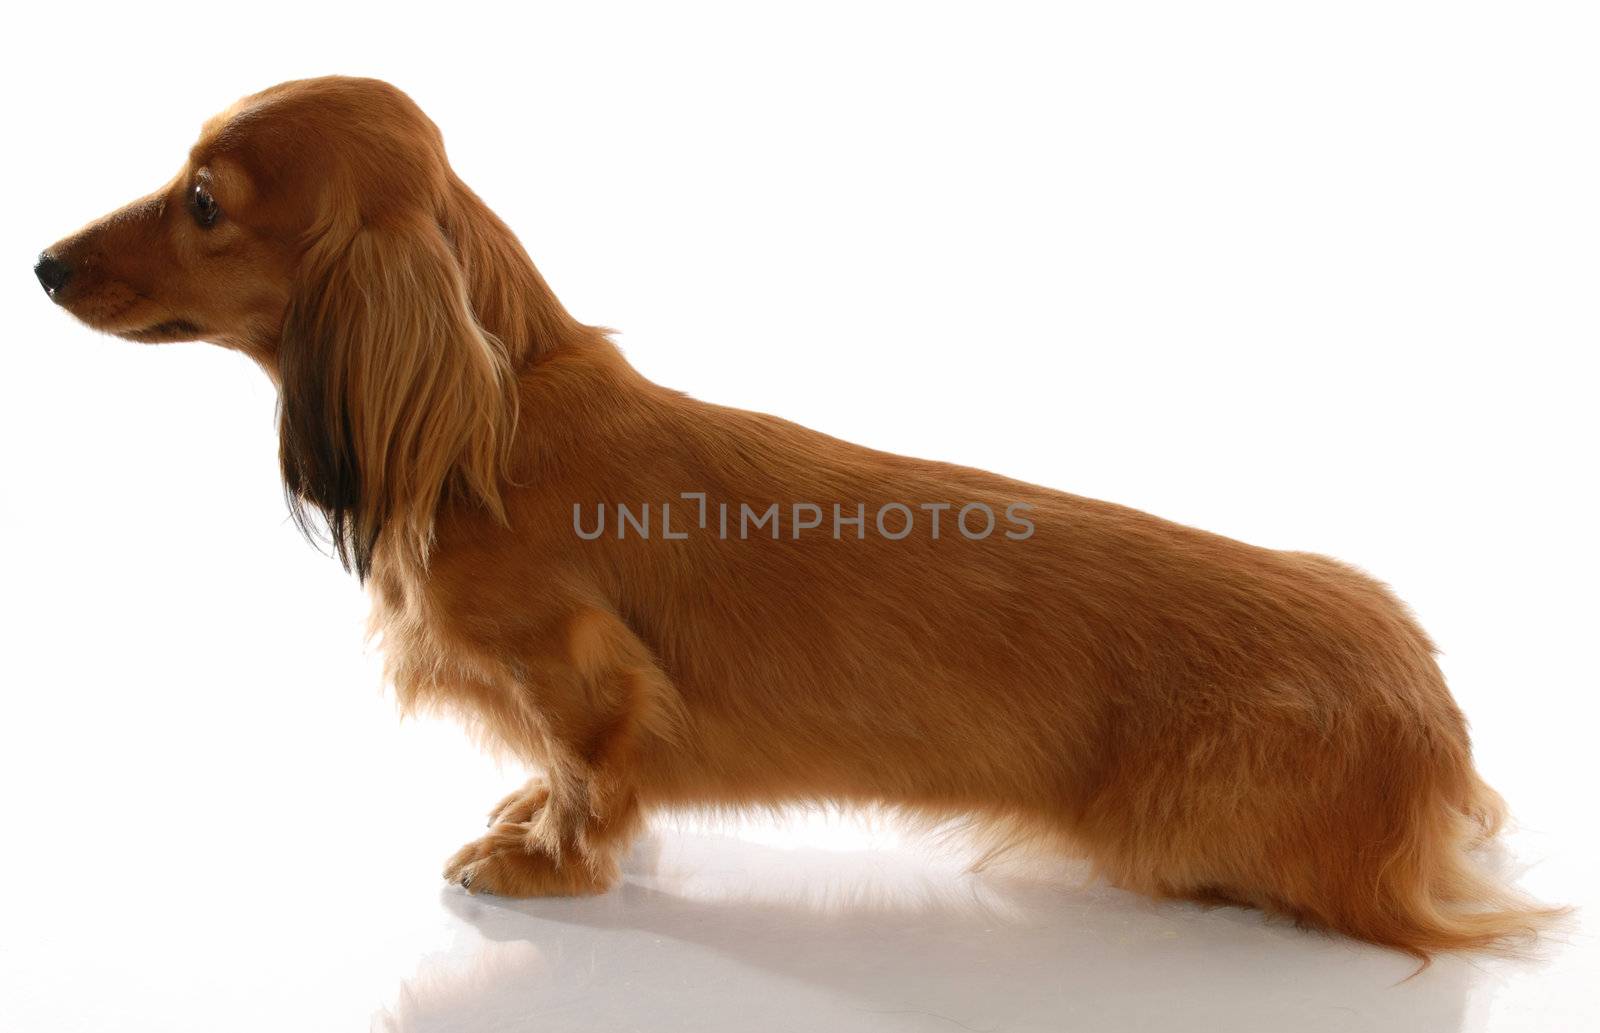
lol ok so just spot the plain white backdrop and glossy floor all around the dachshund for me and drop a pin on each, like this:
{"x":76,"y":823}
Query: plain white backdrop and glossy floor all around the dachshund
{"x":1311,"y":276}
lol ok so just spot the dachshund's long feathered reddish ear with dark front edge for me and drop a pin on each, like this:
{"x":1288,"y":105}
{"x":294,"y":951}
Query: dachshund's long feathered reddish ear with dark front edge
{"x":393,"y":396}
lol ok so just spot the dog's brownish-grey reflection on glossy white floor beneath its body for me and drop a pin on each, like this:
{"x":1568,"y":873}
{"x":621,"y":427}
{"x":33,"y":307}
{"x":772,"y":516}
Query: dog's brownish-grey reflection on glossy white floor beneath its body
{"x":719,"y":933}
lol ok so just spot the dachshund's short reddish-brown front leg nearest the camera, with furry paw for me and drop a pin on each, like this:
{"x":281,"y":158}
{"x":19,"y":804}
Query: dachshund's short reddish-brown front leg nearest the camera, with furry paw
{"x":598,"y":695}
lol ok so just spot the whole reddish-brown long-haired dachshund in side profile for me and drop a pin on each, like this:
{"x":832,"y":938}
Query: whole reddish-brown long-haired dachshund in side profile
{"x":666,"y":604}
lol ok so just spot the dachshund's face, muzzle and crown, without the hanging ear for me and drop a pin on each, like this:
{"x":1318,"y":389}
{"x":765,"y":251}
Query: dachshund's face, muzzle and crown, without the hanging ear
{"x":273,"y":189}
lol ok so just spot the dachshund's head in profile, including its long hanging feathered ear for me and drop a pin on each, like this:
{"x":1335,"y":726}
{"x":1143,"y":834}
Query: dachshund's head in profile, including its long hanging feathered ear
{"x":319,"y":228}
